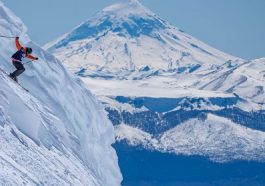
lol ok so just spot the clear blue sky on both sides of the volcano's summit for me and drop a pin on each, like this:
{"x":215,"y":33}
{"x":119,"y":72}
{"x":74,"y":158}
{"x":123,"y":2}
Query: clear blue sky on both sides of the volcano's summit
{"x":233,"y":26}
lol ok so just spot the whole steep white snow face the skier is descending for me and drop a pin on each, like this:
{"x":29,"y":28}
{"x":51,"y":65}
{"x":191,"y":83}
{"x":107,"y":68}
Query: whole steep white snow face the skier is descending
{"x":58,"y":134}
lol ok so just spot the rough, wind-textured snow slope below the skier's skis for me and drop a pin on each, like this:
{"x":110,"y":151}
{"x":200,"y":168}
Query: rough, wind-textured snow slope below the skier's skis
{"x":33,"y":143}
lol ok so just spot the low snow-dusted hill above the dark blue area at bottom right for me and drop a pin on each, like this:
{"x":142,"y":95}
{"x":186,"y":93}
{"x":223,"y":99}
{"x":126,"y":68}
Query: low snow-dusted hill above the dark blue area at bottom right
{"x":215,"y":137}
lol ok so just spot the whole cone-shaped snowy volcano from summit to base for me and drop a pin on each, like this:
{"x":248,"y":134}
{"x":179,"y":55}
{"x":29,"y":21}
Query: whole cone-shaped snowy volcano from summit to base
{"x":126,"y":40}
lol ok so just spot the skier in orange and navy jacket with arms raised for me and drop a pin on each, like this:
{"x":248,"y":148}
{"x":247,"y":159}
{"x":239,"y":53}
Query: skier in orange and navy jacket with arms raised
{"x":18,"y":57}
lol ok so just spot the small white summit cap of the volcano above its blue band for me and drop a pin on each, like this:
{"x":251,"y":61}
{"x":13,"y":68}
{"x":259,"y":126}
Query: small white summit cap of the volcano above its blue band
{"x":127,"y":7}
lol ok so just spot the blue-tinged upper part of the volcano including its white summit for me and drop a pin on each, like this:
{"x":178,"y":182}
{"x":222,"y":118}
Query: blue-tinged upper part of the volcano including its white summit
{"x":128,"y":18}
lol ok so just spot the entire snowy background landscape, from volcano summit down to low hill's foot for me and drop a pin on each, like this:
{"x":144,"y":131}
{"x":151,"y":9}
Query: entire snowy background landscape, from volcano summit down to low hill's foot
{"x":166,"y":91}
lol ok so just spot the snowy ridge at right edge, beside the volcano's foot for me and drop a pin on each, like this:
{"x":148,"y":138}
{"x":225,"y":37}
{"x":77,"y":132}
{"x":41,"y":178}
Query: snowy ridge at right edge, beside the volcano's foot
{"x":246,"y":80}
